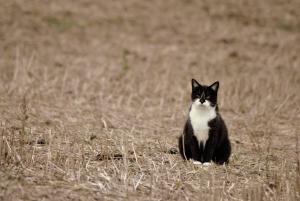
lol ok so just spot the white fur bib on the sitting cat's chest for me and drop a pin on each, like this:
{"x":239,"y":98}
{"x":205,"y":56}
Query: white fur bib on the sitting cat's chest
{"x":199,"y":117}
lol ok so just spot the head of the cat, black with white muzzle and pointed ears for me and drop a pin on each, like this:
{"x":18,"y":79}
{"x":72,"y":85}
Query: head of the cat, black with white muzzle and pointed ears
{"x":205,"y":96}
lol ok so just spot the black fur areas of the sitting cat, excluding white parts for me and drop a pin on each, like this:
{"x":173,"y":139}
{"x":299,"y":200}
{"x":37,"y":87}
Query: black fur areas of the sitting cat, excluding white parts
{"x":217,"y":147}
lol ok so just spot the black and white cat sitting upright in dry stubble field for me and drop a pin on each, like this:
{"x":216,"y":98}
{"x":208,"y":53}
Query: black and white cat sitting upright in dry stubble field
{"x":205,"y":136}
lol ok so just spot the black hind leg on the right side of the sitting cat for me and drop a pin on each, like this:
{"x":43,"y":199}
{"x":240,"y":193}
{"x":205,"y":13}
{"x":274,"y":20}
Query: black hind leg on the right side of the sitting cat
{"x":223,"y":152}
